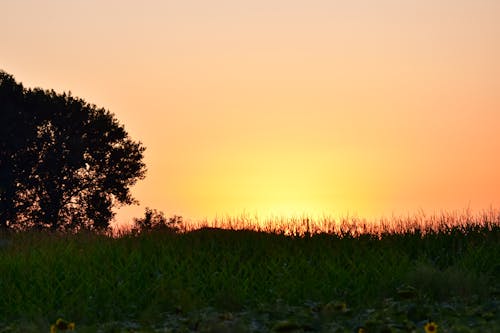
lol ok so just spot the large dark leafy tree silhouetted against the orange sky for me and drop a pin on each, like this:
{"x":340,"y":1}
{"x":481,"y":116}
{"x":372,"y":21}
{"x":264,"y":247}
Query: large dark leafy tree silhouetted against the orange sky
{"x":70,"y":165}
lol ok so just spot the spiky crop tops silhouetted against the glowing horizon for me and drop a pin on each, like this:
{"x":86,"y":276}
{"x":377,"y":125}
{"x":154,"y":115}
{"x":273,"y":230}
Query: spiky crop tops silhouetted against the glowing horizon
{"x":351,"y":225}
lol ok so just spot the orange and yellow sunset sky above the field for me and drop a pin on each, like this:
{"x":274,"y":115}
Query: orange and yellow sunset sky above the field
{"x":282,"y":108}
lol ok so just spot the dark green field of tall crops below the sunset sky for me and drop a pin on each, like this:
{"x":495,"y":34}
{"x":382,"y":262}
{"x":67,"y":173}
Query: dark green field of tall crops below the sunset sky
{"x":397,"y":276}
